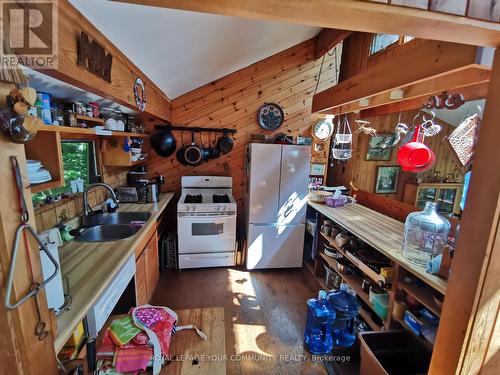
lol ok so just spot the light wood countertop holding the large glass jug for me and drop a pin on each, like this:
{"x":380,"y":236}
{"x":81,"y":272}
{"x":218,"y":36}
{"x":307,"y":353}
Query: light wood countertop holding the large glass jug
{"x":381,"y":232}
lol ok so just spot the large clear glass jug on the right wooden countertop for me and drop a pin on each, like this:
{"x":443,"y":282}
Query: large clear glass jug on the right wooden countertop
{"x":425,"y":235}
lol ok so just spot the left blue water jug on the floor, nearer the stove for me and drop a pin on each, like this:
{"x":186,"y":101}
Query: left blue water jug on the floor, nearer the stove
{"x":320,"y":316}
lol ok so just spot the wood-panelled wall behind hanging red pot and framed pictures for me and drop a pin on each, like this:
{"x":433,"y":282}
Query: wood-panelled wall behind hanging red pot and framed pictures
{"x":365,"y":171}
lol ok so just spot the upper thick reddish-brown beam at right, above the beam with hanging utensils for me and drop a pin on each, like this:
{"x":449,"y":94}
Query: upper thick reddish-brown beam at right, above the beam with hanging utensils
{"x":430,"y":60}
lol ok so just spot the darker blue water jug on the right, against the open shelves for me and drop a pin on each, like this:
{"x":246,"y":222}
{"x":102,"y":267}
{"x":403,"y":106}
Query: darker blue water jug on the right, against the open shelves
{"x":346,"y":308}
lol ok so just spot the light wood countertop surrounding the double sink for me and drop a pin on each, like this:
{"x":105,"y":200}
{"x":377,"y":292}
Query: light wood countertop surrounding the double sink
{"x":91,"y":266}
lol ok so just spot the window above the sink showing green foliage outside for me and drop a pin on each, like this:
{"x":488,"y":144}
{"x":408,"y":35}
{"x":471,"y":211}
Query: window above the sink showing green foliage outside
{"x":79,"y":161}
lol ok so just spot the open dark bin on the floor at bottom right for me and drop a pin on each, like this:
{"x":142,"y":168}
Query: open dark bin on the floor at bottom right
{"x":393,"y":353}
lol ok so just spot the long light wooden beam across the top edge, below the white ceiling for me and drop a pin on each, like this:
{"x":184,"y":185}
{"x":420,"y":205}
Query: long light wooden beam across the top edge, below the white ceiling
{"x":352,"y":15}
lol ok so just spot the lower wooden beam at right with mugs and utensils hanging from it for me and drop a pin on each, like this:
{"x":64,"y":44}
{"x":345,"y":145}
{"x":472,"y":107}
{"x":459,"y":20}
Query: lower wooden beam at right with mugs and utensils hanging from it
{"x":455,"y":80}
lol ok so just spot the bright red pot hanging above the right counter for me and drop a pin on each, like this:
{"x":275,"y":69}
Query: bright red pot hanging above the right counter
{"x":415,"y":156}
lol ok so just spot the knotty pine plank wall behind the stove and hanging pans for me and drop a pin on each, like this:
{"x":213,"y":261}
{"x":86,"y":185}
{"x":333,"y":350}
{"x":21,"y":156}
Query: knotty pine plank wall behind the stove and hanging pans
{"x":287,"y":78}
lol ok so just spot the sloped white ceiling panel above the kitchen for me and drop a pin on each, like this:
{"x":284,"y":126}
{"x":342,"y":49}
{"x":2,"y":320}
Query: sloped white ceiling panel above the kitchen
{"x":182,"y":50}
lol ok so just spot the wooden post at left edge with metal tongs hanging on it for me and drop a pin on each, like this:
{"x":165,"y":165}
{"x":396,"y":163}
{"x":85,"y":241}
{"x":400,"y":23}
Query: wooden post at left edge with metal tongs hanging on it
{"x":21,"y":351}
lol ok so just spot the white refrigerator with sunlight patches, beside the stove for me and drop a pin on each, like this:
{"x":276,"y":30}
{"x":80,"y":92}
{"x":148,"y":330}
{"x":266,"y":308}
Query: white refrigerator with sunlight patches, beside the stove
{"x":276,"y":200}
